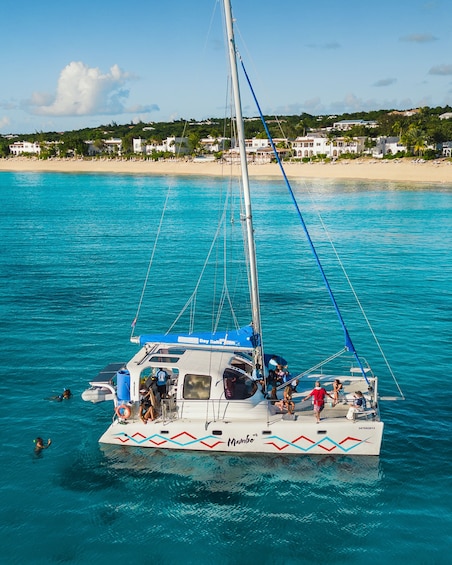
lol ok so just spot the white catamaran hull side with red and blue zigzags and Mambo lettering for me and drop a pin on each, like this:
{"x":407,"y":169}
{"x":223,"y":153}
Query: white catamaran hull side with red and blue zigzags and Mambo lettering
{"x":282,"y":436}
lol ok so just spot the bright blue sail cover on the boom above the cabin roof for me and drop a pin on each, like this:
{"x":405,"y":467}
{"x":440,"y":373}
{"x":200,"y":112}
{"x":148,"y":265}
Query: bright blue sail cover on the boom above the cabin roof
{"x":243,"y":337}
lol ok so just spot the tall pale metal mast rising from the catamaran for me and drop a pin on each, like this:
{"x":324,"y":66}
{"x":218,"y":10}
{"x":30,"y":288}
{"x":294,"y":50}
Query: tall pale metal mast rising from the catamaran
{"x":254,"y":290}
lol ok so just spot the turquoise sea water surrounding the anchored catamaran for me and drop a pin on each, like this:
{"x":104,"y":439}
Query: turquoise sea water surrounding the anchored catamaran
{"x":74,"y":255}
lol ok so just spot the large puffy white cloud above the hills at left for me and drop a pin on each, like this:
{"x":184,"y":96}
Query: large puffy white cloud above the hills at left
{"x":83,"y":91}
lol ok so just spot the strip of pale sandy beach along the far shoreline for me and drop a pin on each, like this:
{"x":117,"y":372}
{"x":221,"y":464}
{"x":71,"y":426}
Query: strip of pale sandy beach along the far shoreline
{"x":407,"y":170}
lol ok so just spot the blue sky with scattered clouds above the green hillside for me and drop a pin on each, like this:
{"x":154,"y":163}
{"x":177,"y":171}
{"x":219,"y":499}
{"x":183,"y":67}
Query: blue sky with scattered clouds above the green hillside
{"x":69,"y":65}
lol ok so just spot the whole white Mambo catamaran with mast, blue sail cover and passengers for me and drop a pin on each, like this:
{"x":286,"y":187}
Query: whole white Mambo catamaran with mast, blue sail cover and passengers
{"x":218,"y":391}
